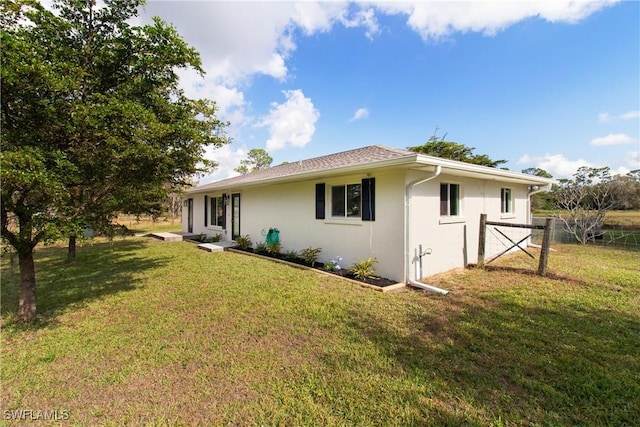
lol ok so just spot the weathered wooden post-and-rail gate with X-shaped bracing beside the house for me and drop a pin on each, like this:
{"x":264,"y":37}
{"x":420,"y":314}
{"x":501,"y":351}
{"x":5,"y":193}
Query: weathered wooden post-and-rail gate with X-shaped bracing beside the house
{"x":544,"y":253}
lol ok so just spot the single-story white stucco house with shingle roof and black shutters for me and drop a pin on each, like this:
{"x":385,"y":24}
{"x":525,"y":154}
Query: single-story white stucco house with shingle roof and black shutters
{"x":373,"y":201}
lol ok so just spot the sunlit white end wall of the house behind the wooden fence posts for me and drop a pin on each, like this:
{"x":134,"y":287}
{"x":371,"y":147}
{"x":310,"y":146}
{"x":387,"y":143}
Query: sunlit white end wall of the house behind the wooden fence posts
{"x":453,"y":241}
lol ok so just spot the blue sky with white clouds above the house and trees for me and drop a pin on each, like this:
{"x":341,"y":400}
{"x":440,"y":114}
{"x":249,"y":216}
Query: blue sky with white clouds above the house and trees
{"x":548,"y":84}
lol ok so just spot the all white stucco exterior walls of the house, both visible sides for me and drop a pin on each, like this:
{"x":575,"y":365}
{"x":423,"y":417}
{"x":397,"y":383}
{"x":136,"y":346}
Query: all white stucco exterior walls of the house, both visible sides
{"x":452,"y":241}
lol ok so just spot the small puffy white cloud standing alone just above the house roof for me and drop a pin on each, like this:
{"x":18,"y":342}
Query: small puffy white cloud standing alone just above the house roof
{"x":291,"y":123}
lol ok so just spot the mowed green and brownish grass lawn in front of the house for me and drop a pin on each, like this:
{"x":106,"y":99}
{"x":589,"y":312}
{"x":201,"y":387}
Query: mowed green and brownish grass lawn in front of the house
{"x":144,"y":332}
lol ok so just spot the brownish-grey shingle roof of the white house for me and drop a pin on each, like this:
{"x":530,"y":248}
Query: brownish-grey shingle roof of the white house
{"x":352,"y":158}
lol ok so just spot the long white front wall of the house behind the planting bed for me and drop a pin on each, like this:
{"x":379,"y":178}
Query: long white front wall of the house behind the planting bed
{"x":291,"y":209}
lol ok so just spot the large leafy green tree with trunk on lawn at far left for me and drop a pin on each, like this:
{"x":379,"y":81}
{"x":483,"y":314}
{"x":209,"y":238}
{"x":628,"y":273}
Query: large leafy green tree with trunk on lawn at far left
{"x":93,"y":121}
